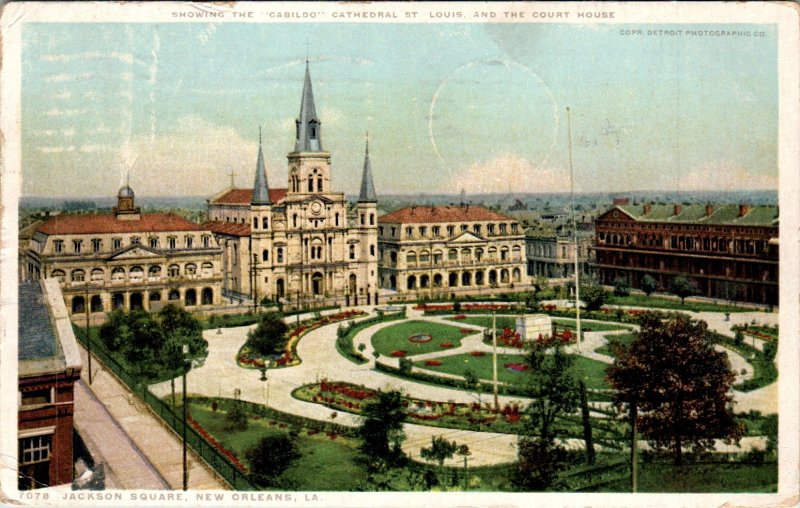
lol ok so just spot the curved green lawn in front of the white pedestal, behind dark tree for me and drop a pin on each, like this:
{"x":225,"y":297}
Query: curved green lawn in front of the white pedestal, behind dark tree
{"x":593,"y":371}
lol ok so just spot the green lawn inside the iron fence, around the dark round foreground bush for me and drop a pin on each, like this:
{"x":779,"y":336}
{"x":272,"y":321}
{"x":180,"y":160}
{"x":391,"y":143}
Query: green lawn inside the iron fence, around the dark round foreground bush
{"x":319,"y":468}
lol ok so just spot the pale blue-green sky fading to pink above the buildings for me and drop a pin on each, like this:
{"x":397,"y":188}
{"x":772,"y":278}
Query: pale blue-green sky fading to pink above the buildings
{"x":176,"y":108}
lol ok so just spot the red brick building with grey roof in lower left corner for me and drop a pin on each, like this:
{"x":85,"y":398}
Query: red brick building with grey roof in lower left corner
{"x":49,"y":366}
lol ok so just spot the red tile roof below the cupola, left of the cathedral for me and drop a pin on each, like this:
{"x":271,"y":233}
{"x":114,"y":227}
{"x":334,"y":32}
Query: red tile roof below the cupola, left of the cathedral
{"x":76,"y":224}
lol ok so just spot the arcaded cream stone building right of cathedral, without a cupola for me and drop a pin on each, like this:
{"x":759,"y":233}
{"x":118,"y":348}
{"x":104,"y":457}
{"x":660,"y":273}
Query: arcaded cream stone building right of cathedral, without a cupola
{"x":453,"y":249}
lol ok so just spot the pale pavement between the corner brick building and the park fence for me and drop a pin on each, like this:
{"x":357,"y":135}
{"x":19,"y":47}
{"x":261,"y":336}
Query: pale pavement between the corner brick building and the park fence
{"x":136,"y":446}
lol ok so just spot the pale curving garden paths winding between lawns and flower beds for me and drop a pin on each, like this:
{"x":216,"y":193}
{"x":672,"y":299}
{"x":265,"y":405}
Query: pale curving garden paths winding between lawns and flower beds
{"x":219,"y":376}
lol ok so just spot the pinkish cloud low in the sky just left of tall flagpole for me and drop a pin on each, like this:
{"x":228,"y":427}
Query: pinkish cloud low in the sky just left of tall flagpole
{"x":508,"y":173}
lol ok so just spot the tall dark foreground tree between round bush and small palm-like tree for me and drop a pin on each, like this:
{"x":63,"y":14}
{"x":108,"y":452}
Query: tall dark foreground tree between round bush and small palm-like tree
{"x":382,"y":428}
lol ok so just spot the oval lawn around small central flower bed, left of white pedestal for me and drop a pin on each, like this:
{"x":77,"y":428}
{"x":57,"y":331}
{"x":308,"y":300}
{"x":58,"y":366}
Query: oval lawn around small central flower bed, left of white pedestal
{"x":395,"y":337}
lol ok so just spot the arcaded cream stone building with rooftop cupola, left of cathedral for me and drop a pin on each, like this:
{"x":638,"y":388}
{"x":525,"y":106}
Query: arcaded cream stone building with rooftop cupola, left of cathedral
{"x":126,"y":259}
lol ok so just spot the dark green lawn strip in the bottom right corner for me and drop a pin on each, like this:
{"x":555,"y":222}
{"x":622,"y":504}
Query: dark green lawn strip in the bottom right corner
{"x":702,"y":478}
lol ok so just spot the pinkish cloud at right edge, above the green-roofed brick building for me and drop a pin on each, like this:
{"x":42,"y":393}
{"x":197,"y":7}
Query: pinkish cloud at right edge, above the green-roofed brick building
{"x":725,"y":175}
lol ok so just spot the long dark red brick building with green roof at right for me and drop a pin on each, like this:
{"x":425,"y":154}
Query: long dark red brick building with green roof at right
{"x":730,"y":250}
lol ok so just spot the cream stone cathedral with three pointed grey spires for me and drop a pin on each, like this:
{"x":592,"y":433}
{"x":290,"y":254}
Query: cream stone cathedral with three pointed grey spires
{"x":301,"y":241}
